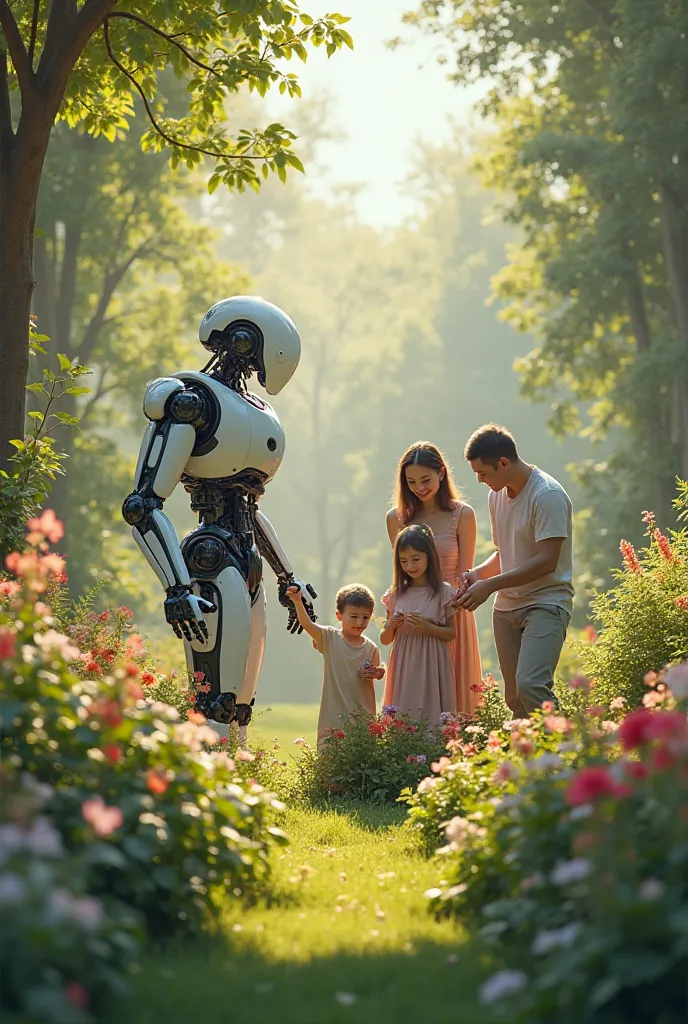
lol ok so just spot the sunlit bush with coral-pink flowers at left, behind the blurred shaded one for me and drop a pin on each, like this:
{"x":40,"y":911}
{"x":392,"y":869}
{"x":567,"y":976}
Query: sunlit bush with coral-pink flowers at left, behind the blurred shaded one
{"x":177,"y":826}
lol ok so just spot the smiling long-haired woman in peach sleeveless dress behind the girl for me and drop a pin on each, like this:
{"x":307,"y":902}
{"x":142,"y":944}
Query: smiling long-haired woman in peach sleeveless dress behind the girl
{"x":426,"y":494}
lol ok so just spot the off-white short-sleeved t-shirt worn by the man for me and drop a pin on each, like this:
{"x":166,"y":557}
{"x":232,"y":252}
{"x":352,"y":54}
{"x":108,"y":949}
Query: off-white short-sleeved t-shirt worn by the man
{"x":541,"y":511}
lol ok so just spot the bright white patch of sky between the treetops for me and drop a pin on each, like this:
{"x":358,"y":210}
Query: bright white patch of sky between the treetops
{"x":384,"y":102}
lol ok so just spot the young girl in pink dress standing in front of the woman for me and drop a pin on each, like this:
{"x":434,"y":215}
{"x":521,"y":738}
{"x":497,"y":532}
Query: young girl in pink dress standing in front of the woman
{"x":420,"y":624}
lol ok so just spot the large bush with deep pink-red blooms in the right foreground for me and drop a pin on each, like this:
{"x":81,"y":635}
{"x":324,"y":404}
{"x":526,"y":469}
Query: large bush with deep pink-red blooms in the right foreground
{"x":573,"y":868}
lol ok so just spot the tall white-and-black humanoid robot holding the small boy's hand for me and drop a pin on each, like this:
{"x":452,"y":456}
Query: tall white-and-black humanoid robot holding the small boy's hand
{"x":207,"y":431}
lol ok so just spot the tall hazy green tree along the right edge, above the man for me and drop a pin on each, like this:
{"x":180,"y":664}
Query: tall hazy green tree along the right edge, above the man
{"x":590,"y":156}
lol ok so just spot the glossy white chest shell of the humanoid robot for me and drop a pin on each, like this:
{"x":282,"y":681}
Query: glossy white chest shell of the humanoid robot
{"x":249,"y":436}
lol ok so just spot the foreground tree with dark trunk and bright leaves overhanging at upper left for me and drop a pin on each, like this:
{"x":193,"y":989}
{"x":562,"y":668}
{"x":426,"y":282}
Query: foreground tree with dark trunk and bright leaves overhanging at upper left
{"x":84,"y":64}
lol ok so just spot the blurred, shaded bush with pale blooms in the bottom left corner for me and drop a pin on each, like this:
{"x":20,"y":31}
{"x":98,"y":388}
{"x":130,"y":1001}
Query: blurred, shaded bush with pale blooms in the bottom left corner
{"x":64,"y":954}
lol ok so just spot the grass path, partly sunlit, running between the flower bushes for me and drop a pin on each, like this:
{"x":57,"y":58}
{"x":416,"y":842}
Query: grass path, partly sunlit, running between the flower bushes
{"x":345,"y":938}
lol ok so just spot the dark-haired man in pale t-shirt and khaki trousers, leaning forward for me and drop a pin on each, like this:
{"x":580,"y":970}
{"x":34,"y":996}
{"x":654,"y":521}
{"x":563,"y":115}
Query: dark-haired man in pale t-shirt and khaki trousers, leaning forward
{"x":531,"y":572}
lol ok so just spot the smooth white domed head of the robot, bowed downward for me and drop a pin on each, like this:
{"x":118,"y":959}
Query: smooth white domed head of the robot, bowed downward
{"x":254,"y":335}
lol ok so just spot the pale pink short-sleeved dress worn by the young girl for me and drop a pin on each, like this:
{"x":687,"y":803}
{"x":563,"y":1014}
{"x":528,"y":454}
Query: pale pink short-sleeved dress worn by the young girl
{"x":420,"y":677}
